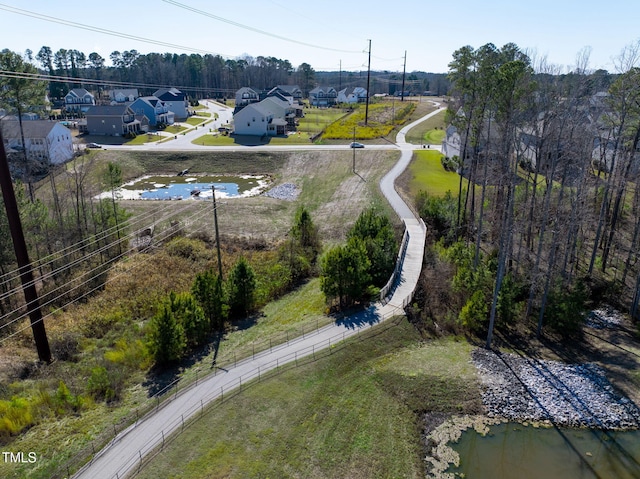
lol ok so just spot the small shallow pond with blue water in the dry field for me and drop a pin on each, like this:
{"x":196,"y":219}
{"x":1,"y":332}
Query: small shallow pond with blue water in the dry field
{"x":162,"y":187}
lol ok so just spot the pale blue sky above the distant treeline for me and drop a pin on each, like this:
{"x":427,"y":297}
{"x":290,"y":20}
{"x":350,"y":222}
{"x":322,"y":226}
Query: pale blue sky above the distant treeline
{"x":329,"y":35}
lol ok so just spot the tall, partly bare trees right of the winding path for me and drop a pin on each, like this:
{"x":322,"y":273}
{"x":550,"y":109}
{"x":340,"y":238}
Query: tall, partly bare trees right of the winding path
{"x":550,"y":217}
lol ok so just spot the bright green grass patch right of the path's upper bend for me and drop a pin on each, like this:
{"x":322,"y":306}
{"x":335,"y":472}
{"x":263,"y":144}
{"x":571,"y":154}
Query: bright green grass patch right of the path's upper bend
{"x":429,"y":175}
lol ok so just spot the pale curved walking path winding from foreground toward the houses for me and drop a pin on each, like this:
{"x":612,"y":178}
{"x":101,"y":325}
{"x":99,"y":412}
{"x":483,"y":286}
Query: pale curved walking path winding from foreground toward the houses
{"x":124,"y":454}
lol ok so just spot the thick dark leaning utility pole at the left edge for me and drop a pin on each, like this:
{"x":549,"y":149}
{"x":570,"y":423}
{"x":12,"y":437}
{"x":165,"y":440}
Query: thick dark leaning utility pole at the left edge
{"x":22,"y":257}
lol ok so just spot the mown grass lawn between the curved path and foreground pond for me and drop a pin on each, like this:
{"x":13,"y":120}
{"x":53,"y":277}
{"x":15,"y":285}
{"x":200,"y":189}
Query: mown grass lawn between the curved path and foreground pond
{"x":352,"y":413}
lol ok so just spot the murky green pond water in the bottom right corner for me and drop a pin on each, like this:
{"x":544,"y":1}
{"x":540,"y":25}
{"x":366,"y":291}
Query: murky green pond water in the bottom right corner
{"x":514,"y":451}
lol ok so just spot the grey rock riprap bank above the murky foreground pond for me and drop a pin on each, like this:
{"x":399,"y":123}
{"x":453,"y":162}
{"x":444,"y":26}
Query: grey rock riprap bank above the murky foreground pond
{"x":574,"y":395}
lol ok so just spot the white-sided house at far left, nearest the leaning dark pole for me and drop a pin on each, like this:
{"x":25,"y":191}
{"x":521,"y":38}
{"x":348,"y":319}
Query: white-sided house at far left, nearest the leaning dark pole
{"x":43,"y":140}
